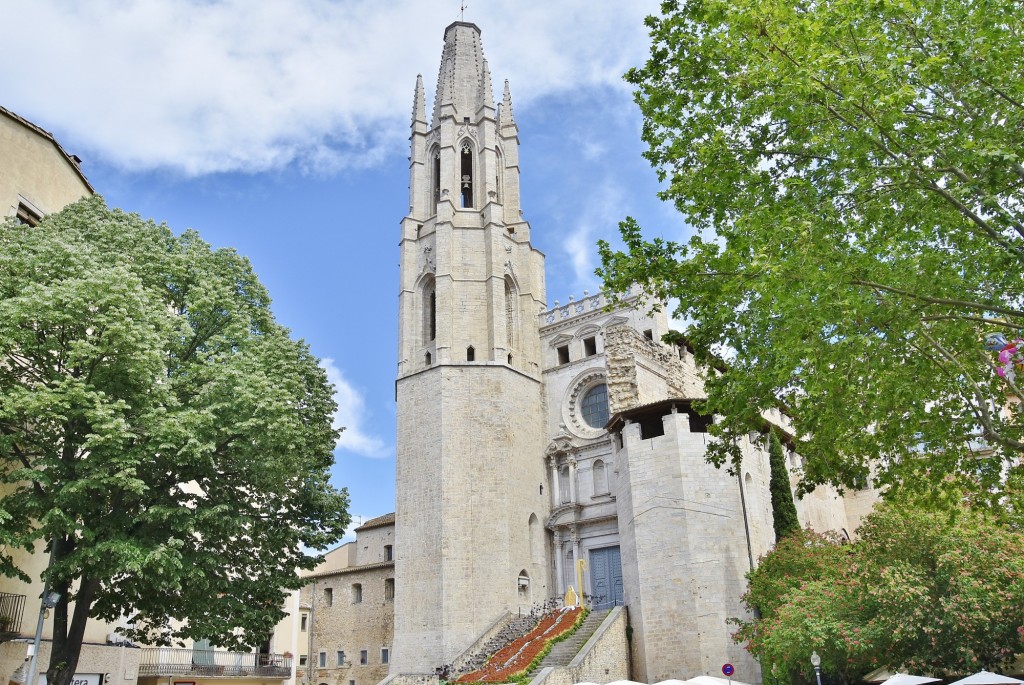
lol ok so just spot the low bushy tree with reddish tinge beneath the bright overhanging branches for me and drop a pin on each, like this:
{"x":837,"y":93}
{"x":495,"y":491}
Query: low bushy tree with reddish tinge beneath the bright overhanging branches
{"x":933,"y":591}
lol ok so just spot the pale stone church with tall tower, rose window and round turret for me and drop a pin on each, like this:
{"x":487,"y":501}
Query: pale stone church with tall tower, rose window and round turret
{"x":546,"y":448}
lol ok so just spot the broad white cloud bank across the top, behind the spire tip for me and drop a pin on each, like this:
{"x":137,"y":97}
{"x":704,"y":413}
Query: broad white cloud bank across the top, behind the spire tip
{"x":200,"y":87}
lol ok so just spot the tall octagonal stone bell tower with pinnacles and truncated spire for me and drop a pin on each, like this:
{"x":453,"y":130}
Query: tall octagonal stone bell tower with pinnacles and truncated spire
{"x":471,"y":509}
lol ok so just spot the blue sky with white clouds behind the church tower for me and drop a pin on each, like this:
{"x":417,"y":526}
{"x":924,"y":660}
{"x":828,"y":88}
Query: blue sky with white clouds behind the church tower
{"x":281,"y":130}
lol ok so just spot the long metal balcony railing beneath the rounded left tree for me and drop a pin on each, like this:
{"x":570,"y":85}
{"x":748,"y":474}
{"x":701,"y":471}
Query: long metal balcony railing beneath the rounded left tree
{"x":210,"y":664}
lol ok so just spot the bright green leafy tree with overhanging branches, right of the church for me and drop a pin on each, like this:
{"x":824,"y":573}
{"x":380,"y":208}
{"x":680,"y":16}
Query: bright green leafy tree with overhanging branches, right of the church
{"x":855,"y":174}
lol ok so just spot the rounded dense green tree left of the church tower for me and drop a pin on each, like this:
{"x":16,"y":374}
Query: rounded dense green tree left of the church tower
{"x":161,"y":436}
